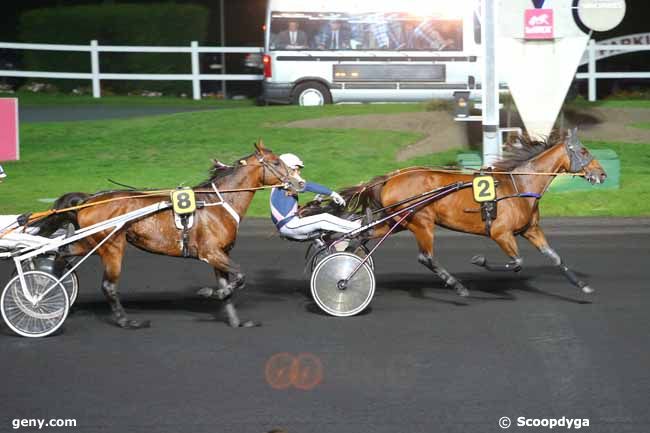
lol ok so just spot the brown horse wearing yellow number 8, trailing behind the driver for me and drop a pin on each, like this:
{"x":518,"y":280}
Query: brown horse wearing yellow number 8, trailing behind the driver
{"x":210,"y":239}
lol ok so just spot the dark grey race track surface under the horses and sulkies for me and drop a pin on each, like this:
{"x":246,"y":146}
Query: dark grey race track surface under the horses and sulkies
{"x":421,"y":360}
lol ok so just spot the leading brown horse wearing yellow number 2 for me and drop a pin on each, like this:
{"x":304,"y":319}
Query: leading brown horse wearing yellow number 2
{"x":522,"y":178}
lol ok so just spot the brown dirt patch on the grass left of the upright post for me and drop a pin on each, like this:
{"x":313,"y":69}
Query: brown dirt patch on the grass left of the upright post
{"x":440,"y":131}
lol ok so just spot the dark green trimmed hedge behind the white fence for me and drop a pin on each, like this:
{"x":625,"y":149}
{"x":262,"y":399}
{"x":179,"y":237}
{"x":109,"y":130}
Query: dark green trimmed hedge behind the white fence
{"x":165,"y":24}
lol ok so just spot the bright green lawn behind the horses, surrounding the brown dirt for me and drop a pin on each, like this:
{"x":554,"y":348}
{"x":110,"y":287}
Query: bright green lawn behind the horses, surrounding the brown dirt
{"x":166,"y":151}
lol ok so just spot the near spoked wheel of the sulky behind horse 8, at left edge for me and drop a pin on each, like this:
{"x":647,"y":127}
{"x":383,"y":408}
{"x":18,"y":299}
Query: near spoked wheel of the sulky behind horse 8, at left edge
{"x":37,"y":311}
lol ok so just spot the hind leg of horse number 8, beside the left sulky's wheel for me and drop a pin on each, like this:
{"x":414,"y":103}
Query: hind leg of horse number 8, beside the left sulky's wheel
{"x":111,"y":254}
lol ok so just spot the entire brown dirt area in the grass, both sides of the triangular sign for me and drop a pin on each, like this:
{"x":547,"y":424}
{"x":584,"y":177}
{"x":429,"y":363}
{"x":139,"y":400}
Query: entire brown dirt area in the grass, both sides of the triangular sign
{"x":441,"y":132}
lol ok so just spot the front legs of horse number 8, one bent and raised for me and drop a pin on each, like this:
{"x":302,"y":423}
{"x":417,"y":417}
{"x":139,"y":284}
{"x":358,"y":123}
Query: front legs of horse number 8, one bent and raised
{"x":229,"y":279}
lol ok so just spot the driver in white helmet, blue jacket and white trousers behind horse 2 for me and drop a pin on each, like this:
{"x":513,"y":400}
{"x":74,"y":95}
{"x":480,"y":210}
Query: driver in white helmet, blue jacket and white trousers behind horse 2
{"x":284,"y":208}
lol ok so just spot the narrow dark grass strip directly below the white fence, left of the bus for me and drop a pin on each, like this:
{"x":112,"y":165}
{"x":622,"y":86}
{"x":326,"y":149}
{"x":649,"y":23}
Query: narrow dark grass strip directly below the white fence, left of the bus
{"x":30,"y":99}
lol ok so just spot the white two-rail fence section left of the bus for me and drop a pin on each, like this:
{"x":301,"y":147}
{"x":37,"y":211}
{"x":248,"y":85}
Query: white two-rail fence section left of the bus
{"x":96,"y":75}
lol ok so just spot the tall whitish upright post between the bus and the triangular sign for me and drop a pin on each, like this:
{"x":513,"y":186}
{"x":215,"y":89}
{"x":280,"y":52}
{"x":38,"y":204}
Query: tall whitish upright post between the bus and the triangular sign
{"x":490,"y":102}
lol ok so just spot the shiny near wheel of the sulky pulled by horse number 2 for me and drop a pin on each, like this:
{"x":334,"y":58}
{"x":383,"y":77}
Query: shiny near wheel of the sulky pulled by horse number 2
{"x":334,"y":296}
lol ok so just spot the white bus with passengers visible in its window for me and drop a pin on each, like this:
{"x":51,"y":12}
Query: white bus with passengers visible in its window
{"x":321,"y":52}
